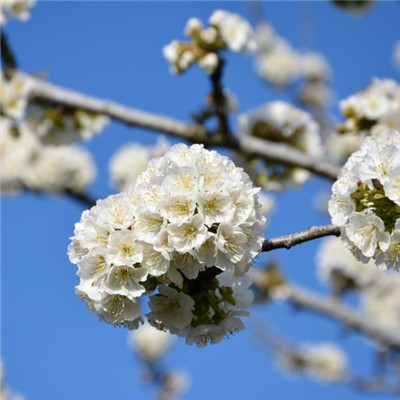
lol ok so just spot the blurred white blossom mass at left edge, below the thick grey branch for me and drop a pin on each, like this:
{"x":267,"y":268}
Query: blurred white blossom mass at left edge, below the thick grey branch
{"x":27,"y":164}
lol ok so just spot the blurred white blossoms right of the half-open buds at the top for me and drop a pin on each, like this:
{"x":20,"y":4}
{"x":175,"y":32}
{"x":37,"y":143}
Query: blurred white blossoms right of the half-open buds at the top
{"x":281,"y":65}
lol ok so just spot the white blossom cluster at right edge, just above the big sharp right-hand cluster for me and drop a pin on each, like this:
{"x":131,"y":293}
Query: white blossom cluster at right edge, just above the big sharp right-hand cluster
{"x":373,"y":110}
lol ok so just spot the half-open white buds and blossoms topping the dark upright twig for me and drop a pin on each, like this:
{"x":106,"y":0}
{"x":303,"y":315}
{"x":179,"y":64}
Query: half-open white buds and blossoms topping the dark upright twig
{"x":225,"y":29}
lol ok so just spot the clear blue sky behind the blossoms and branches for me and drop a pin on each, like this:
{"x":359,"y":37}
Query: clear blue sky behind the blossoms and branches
{"x":52,"y":346}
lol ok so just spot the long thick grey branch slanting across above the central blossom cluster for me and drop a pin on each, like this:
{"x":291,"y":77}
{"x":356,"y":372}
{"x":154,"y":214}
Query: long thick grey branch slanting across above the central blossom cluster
{"x":249,"y":146}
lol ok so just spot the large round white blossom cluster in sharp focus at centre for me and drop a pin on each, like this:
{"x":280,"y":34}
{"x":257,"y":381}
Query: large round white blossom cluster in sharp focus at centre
{"x":190,"y":229}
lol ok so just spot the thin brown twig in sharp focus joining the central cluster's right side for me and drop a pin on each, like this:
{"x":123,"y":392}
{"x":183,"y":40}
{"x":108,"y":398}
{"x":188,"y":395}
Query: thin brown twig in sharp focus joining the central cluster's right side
{"x":288,"y":241}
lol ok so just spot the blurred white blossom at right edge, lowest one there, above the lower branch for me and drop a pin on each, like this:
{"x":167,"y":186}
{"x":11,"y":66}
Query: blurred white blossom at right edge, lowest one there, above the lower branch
{"x":380,"y":301}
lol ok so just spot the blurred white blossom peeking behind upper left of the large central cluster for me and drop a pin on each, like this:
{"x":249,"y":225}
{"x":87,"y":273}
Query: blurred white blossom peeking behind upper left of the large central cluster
{"x":132,"y":159}
